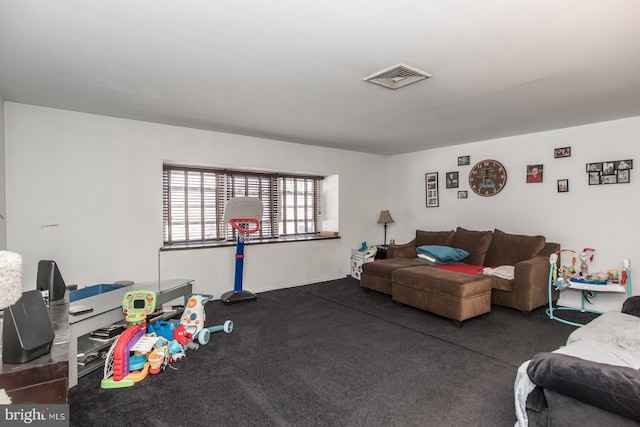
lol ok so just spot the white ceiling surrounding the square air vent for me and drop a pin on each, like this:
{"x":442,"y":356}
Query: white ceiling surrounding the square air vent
{"x":293,"y":70}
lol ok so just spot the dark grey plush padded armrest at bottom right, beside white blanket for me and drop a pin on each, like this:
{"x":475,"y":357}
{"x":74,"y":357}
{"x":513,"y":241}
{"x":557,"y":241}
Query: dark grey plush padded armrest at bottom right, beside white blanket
{"x":613,"y":388}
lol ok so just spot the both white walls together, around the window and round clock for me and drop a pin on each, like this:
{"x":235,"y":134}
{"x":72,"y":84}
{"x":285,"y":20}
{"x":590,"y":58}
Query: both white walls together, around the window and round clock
{"x":86,"y":191}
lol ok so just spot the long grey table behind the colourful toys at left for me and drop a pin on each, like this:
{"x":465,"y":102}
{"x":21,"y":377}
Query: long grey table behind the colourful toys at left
{"x":107,"y":309}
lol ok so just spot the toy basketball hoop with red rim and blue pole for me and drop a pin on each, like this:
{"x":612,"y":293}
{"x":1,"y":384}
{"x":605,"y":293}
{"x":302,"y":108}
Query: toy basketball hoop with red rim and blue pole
{"x":243,"y":214}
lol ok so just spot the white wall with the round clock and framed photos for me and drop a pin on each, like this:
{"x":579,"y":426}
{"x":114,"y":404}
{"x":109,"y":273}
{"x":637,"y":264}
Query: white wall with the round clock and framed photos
{"x":604,"y":217}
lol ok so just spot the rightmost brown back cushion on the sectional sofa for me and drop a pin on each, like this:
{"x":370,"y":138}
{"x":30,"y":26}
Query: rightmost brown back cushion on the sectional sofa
{"x":510,"y":249}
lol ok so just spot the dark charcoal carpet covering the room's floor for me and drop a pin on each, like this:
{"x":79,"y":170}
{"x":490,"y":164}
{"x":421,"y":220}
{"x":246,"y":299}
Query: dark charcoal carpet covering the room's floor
{"x":329,"y":354}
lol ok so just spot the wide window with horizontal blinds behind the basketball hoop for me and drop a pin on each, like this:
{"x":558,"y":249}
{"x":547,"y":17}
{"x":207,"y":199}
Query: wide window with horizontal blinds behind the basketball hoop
{"x":194,"y":200}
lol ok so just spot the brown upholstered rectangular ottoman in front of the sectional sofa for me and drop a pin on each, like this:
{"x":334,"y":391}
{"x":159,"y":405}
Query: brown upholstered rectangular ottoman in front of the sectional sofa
{"x":457,"y":296}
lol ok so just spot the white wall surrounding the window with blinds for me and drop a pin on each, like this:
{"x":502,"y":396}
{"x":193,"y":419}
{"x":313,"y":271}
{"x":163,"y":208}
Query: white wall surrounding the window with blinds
{"x":86,"y":191}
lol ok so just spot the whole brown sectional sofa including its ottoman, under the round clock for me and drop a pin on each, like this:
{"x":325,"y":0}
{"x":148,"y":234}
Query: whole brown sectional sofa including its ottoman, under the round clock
{"x":461,"y":296}
